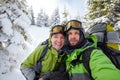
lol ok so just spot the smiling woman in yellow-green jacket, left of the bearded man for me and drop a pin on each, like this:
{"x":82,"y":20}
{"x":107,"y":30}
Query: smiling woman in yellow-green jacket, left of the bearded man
{"x":54,"y":56}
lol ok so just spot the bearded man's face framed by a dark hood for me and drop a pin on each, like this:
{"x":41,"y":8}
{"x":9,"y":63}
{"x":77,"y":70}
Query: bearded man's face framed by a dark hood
{"x":73,"y":36}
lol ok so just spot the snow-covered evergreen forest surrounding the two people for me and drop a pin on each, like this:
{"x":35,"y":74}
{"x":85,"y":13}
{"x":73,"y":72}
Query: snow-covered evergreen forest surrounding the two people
{"x":16,"y":17}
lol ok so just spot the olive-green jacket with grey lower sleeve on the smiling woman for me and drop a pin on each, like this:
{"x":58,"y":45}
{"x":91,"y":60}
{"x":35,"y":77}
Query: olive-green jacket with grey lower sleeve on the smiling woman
{"x":49,"y":63}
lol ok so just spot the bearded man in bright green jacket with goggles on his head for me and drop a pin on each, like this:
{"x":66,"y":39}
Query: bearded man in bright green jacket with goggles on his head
{"x":76,"y":42}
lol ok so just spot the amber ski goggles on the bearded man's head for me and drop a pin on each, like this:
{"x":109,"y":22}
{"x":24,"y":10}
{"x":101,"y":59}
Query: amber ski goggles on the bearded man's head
{"x":73,"y":24}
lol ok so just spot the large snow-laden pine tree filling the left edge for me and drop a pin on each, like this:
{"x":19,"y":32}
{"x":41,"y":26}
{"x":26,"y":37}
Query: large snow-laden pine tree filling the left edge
{"x":14,"y":23}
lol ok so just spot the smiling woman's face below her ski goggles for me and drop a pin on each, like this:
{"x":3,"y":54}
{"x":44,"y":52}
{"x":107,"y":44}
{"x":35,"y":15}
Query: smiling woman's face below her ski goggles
{"x":58,"y":41}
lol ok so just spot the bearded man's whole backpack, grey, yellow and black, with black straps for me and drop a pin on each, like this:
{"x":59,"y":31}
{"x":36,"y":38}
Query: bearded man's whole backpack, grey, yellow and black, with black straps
{"x":108,"y":42}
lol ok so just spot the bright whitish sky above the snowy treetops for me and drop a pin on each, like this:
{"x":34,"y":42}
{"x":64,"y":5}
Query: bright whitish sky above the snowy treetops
{"x":74,"y":6}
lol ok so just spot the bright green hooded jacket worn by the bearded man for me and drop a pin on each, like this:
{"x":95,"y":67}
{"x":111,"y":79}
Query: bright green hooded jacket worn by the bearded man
{"x":101,"y":67}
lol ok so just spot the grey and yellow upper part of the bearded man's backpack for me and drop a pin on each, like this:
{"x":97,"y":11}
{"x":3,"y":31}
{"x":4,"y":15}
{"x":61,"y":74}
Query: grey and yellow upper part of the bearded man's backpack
{"x":105,"y":34}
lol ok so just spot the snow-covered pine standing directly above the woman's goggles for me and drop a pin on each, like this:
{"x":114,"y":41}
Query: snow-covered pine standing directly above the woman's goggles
{"x":55,"y":18}
